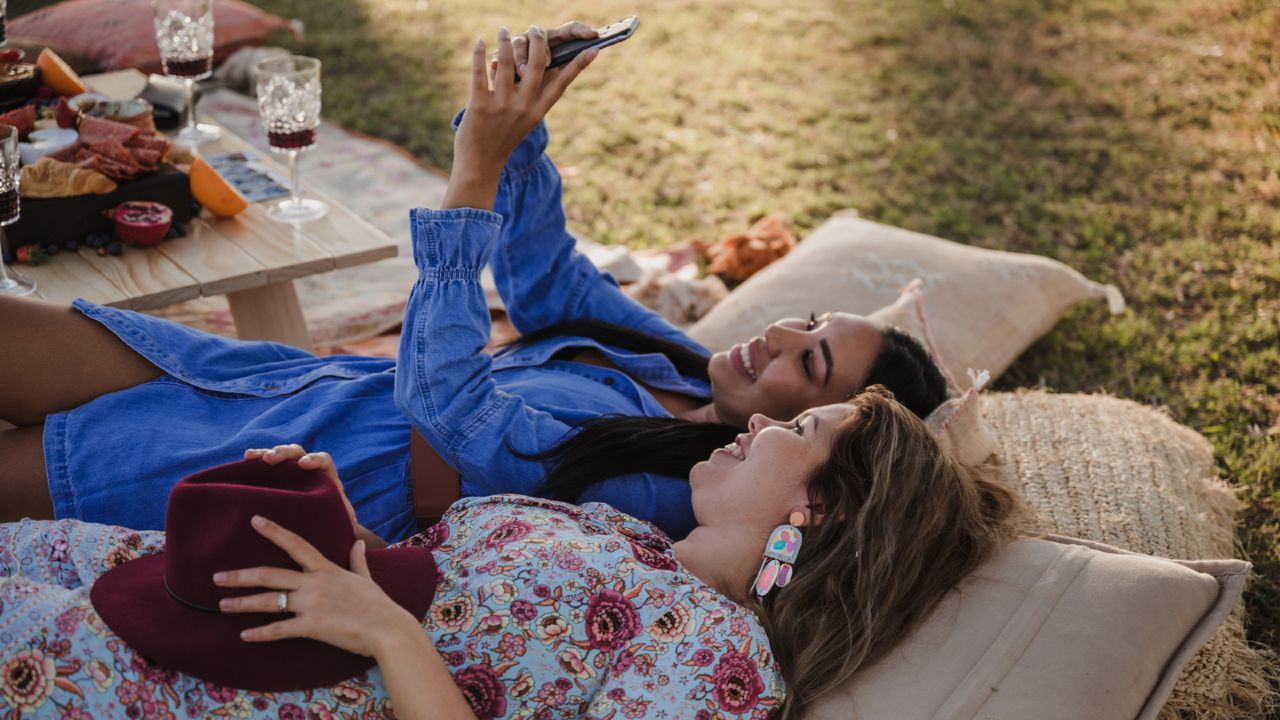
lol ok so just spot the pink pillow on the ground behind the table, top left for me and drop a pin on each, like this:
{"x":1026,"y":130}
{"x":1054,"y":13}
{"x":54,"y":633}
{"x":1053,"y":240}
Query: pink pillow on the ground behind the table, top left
{"x":118,"y":34}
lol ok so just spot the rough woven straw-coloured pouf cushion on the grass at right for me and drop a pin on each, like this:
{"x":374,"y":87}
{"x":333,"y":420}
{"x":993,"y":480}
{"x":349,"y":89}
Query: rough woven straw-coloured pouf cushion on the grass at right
{"x":1124,"y":475}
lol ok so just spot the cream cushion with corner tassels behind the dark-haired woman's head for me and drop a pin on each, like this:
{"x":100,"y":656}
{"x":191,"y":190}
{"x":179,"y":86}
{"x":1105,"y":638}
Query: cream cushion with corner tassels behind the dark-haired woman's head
{"x":985,"y":307}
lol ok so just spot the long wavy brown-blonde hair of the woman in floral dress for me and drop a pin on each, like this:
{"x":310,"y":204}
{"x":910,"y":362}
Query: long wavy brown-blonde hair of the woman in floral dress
{"x":900,"y":525}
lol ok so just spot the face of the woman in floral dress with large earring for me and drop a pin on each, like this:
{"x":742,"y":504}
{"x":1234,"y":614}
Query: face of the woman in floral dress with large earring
{"x":760,"y":480}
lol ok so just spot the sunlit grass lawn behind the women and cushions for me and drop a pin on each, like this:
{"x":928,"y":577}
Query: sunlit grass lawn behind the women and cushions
{"x":1137,"y":142}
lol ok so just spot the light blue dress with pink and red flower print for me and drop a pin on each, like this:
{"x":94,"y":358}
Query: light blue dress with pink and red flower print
{"x":543,"y":610}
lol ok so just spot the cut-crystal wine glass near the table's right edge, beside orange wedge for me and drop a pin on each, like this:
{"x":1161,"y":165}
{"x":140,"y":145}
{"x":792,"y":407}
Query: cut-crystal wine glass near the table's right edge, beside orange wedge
{"x":289,"y":99}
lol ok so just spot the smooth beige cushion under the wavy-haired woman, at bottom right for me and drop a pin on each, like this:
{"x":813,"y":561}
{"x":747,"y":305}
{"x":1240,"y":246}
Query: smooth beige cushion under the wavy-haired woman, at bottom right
{"x":1050,"y":628}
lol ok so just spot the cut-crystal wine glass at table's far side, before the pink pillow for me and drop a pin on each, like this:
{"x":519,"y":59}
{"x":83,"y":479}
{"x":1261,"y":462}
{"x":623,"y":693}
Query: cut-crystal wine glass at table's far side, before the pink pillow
{"x":185,"y":33}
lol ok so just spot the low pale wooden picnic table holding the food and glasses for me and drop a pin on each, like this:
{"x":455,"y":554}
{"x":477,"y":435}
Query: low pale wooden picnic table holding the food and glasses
{"x":250,"y":259}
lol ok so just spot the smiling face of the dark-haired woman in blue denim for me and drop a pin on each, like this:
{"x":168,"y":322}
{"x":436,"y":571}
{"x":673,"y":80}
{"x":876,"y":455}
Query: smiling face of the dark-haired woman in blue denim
{"x":797,"y":364}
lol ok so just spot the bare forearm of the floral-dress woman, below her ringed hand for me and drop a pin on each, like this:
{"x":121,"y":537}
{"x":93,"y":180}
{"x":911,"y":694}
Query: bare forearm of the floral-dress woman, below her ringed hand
{"x":419,"y":685}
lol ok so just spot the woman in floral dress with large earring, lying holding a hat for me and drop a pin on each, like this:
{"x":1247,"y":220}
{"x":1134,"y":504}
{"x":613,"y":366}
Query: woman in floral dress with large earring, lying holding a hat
{"x":821,"y":544}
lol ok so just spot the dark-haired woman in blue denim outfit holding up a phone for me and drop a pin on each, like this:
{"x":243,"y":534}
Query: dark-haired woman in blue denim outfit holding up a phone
{"x":601,"y":391}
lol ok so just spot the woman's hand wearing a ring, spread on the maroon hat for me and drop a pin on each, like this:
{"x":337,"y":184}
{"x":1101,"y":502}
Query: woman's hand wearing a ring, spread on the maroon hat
{"x":342,"y":608}
